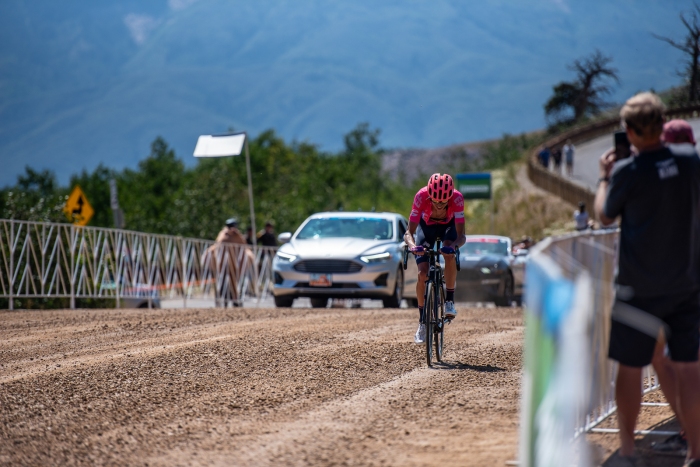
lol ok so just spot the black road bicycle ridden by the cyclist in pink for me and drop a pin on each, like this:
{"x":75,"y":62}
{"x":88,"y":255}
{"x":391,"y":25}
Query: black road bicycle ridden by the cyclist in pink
{"x":434,"y":302}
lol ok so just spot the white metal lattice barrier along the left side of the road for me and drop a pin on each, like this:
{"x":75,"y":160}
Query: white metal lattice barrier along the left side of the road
{"x":44,"y":260}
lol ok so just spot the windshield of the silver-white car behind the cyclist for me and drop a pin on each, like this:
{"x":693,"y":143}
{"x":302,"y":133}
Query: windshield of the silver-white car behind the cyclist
{"x":355,"y":227}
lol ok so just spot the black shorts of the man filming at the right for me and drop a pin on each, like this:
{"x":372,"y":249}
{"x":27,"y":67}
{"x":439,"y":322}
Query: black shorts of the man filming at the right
{"x":634,"y":321}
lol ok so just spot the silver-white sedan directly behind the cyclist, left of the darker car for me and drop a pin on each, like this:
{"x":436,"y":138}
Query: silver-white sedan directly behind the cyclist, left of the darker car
{"x":345,"y":255}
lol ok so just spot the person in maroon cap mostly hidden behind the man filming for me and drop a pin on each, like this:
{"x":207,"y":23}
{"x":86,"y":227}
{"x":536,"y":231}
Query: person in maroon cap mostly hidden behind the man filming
{"x":678,"y":136}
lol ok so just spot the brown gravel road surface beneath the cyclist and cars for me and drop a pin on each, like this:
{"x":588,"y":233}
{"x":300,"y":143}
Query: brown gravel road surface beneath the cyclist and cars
{"x":256,"y":387}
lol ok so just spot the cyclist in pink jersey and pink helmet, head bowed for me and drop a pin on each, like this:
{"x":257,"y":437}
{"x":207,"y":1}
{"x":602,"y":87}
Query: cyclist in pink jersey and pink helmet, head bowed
{"x":438,"y":211}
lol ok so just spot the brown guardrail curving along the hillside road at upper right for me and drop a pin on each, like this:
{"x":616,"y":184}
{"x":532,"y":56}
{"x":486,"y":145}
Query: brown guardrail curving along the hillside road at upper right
{"x":562,"y":186}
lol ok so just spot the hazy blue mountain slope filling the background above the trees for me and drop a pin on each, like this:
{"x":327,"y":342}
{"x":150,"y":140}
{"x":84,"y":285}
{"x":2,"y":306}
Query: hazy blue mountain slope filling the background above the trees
{"x":83,"y":83}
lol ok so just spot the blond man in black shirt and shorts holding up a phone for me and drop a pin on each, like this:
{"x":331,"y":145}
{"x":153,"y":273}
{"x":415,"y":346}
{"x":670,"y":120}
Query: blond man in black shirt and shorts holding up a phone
{"x":657,"y":195}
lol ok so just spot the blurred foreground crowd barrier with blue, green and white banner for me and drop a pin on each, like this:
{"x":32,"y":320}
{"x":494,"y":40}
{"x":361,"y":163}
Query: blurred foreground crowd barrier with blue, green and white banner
{"x":568,"y":382}
